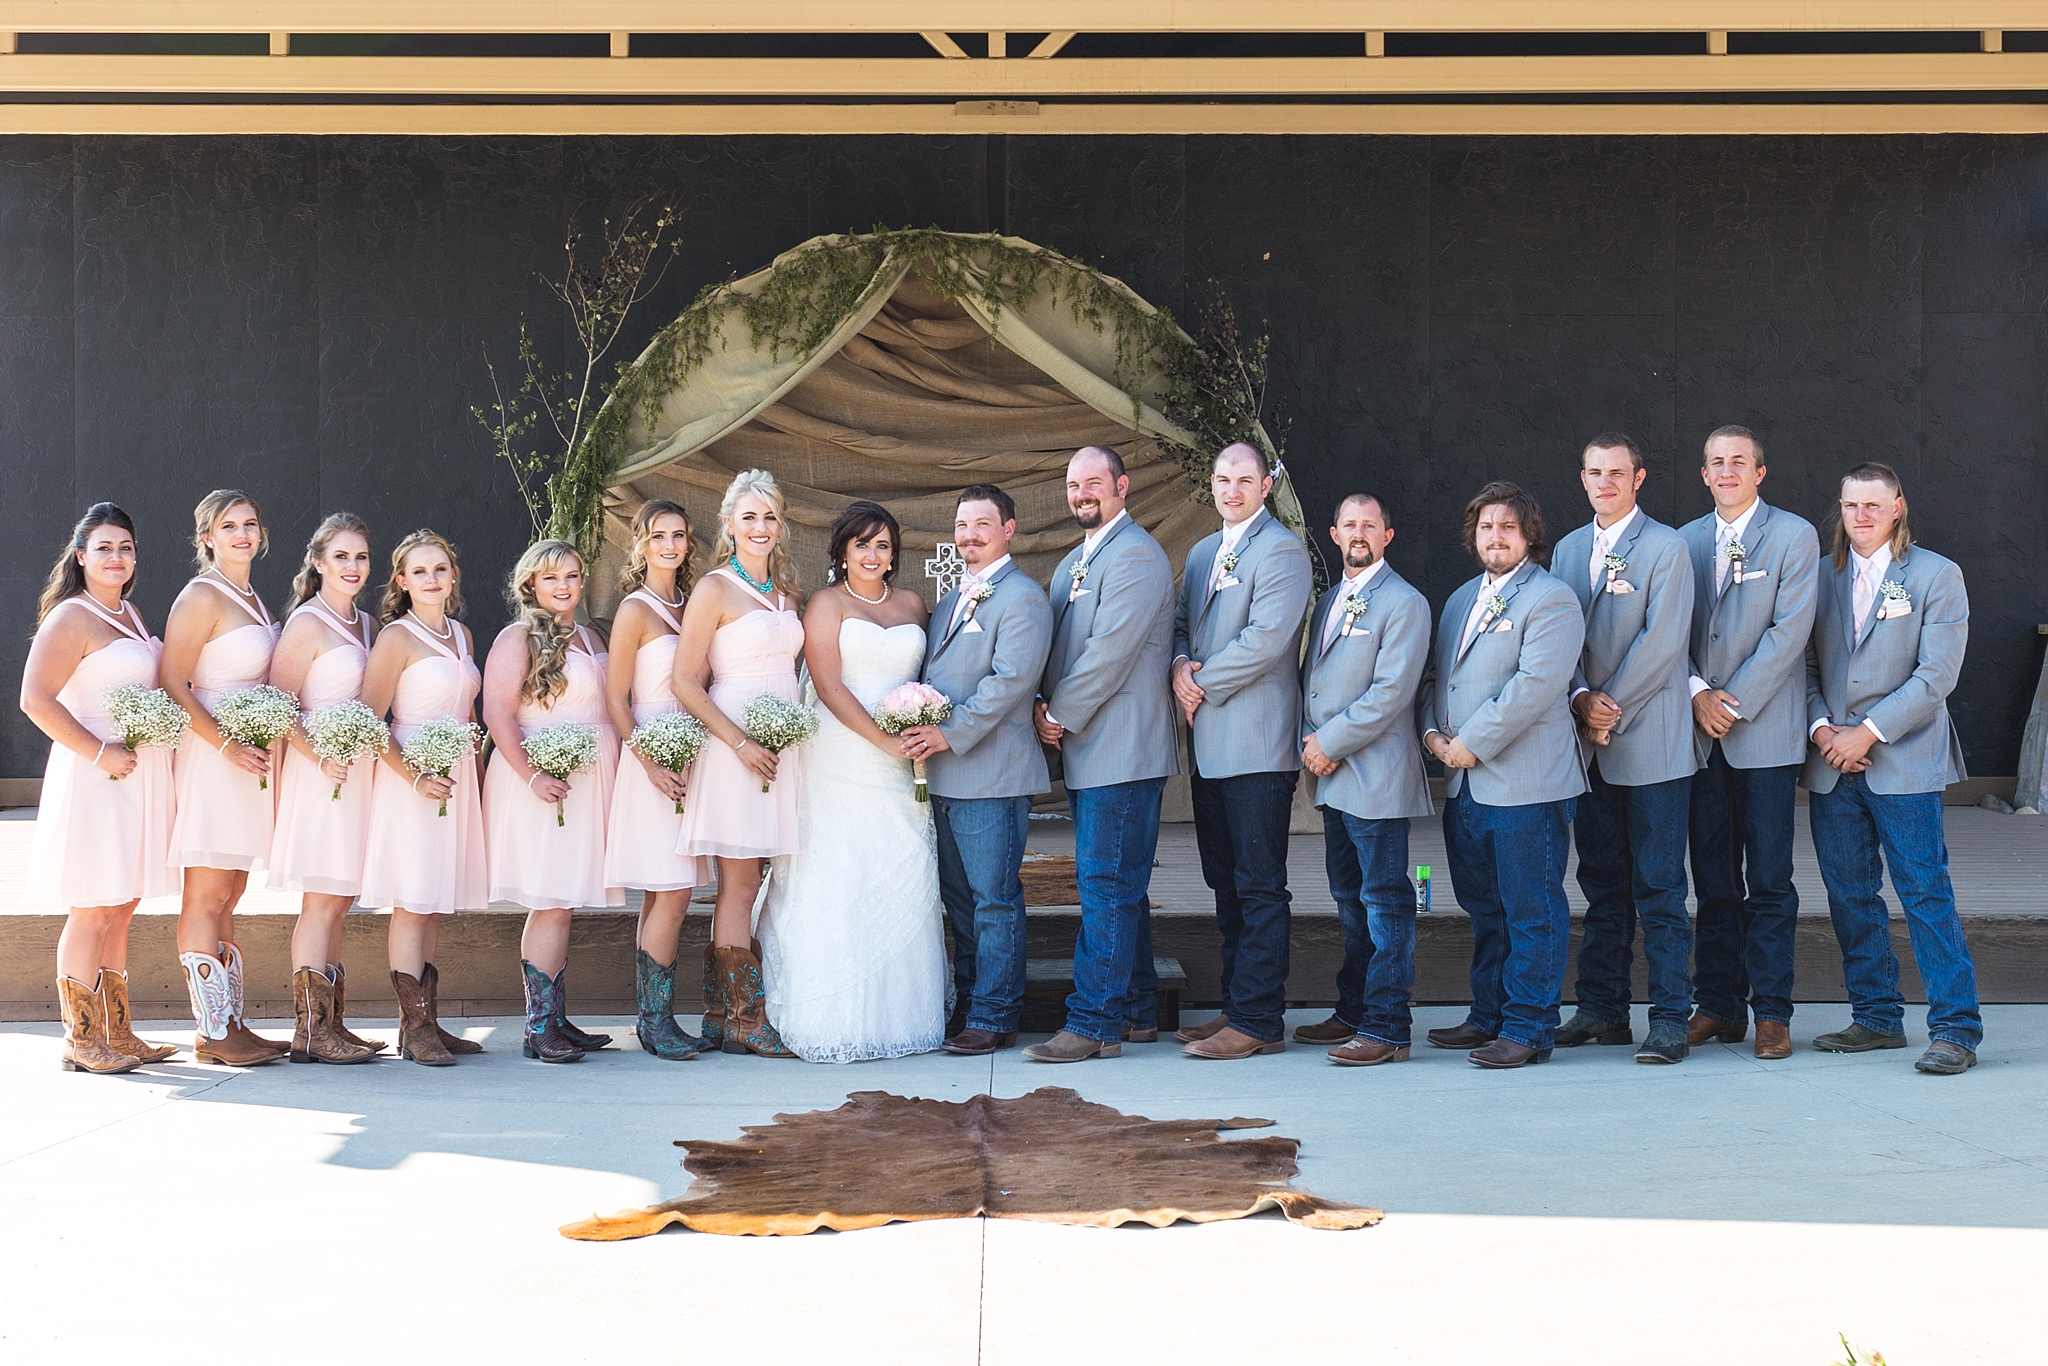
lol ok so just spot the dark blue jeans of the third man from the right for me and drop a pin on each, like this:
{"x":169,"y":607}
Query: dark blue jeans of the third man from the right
{"x":1633,"y":865}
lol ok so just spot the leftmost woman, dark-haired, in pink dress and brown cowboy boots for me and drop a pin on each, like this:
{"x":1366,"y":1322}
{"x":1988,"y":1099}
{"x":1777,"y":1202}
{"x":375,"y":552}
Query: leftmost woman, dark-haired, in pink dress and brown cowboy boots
{"x":103,"y":830}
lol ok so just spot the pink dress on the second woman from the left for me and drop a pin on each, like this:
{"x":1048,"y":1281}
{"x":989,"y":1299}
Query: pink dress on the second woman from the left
{"x":226,"y":814}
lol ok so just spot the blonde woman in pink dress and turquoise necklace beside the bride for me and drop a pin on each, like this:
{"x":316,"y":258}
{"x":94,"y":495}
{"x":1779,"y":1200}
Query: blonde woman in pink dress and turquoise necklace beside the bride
{"x":742,"y":628}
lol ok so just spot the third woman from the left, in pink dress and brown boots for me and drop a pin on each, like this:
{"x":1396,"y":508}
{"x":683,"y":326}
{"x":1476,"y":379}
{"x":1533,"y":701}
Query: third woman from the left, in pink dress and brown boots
{"x":323,"y":816}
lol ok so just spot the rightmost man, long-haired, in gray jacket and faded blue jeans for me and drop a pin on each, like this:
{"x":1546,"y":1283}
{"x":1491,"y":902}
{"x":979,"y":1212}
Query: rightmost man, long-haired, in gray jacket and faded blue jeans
{"x":1887,"y":648}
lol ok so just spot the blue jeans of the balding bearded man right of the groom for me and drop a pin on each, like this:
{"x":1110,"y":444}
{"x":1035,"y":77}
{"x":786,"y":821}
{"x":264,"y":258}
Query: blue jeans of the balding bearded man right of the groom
{"x":1115,"y":839}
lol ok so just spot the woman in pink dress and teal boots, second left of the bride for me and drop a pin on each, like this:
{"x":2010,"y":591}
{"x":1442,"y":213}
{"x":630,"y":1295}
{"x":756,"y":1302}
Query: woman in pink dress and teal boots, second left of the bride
{"x":640,"y":847}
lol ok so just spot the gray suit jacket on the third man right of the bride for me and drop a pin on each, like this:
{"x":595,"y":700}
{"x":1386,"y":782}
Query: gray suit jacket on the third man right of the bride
{"x":1246,"y":636}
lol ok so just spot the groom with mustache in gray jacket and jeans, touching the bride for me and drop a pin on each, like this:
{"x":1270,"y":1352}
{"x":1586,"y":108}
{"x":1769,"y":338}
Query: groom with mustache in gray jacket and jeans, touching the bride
{"x":986,"y":652}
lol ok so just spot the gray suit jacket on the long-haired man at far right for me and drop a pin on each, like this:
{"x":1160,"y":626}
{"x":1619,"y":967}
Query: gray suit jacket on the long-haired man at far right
{"x":1895,"y":673}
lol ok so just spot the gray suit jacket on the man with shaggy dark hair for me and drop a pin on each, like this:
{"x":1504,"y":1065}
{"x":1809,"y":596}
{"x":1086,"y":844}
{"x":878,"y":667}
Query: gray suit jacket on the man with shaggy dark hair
{"x":1508,"y":695}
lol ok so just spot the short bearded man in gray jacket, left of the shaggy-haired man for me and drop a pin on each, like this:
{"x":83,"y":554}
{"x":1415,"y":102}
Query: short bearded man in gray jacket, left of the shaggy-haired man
{"x":1369,"y":646}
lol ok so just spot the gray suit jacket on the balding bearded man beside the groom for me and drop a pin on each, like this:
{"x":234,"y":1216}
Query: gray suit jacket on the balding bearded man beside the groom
{"x":1109,"y":679}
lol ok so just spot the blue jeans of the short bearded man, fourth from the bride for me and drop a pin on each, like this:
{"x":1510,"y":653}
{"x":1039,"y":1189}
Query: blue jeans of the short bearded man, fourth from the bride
{"x":1377,"y":908}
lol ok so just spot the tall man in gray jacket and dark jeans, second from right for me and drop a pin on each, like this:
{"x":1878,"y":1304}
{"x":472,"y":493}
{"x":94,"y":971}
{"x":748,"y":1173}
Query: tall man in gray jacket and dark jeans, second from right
{"x":1754,"y":572}
